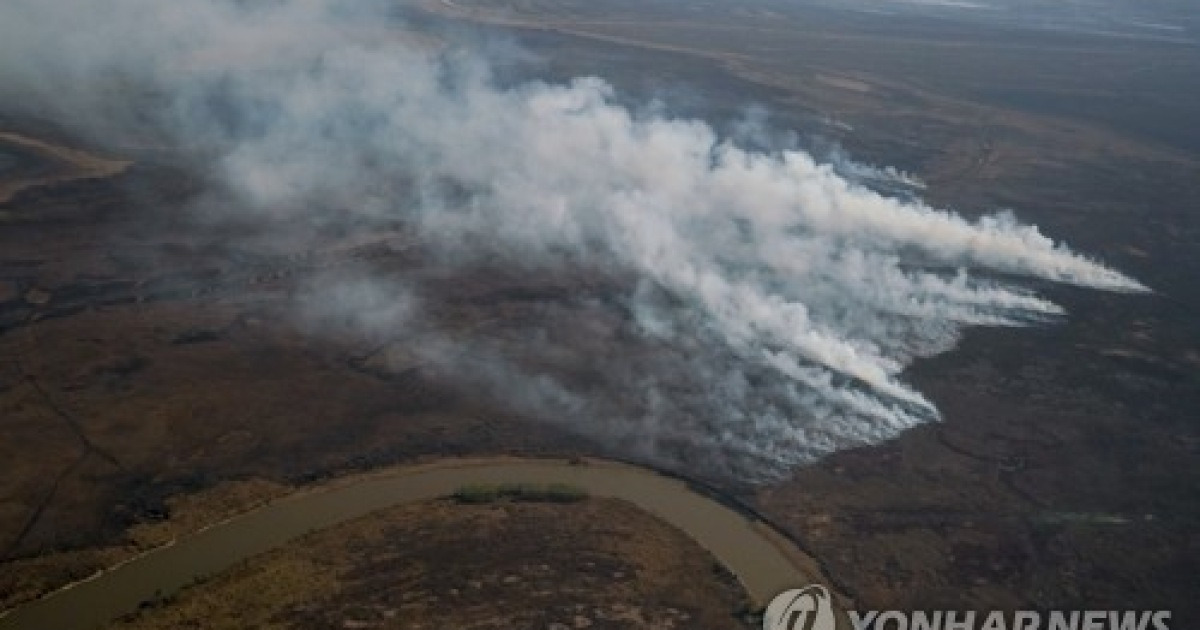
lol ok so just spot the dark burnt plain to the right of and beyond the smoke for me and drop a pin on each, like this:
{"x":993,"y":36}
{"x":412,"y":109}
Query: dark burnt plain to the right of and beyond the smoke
{"x":1065,"y":473}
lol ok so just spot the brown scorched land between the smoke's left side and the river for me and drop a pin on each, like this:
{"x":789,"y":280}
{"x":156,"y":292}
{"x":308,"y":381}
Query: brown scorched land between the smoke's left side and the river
{"x":128,"y":383}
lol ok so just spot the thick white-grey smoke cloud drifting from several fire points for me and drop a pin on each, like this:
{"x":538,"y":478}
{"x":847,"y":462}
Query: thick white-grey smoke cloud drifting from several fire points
{"x":783,"y":296}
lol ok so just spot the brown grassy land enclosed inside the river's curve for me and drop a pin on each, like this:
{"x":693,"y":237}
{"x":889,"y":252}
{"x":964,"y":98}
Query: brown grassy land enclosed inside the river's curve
{"x":593,"y":565}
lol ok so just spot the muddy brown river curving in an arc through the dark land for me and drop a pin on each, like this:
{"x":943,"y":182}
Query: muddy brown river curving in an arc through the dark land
{"x":763,"y":560}
